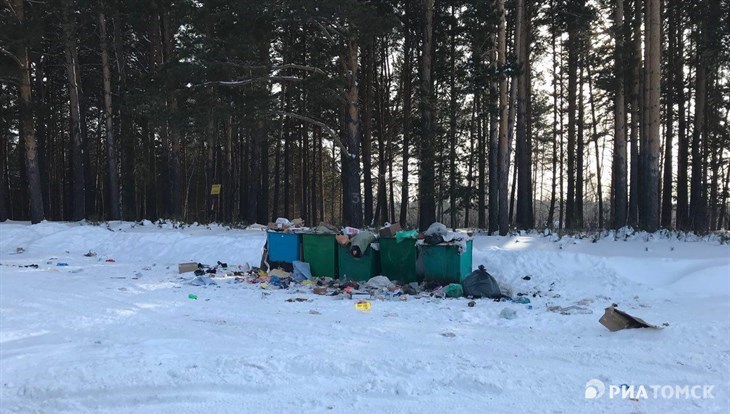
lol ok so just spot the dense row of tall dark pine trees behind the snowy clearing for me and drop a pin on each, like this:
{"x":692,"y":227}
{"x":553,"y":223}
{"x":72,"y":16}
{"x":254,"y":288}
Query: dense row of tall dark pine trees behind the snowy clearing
{"x":496,"y":114}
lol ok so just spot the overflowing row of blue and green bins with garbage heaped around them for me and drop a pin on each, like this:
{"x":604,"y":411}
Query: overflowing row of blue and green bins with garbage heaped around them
{"x":350,"y":263}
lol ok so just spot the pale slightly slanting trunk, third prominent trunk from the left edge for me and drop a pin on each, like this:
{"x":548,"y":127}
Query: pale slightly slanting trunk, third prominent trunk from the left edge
{"x":111,"y":142}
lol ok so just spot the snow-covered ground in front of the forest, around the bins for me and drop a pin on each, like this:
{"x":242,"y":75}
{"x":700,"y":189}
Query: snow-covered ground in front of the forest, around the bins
{"x":123,"y":336}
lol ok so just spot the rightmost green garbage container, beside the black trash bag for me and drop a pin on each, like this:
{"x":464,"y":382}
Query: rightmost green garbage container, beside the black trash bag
{"x":444,"y":263}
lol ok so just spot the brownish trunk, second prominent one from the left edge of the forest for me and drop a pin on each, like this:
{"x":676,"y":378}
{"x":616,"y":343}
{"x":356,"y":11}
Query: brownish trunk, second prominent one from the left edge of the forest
{"x":77,"y":158}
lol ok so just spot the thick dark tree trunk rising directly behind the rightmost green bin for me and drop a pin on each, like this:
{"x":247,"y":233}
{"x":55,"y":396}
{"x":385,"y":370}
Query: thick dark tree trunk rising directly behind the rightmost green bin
{"x":426,"y":196}
